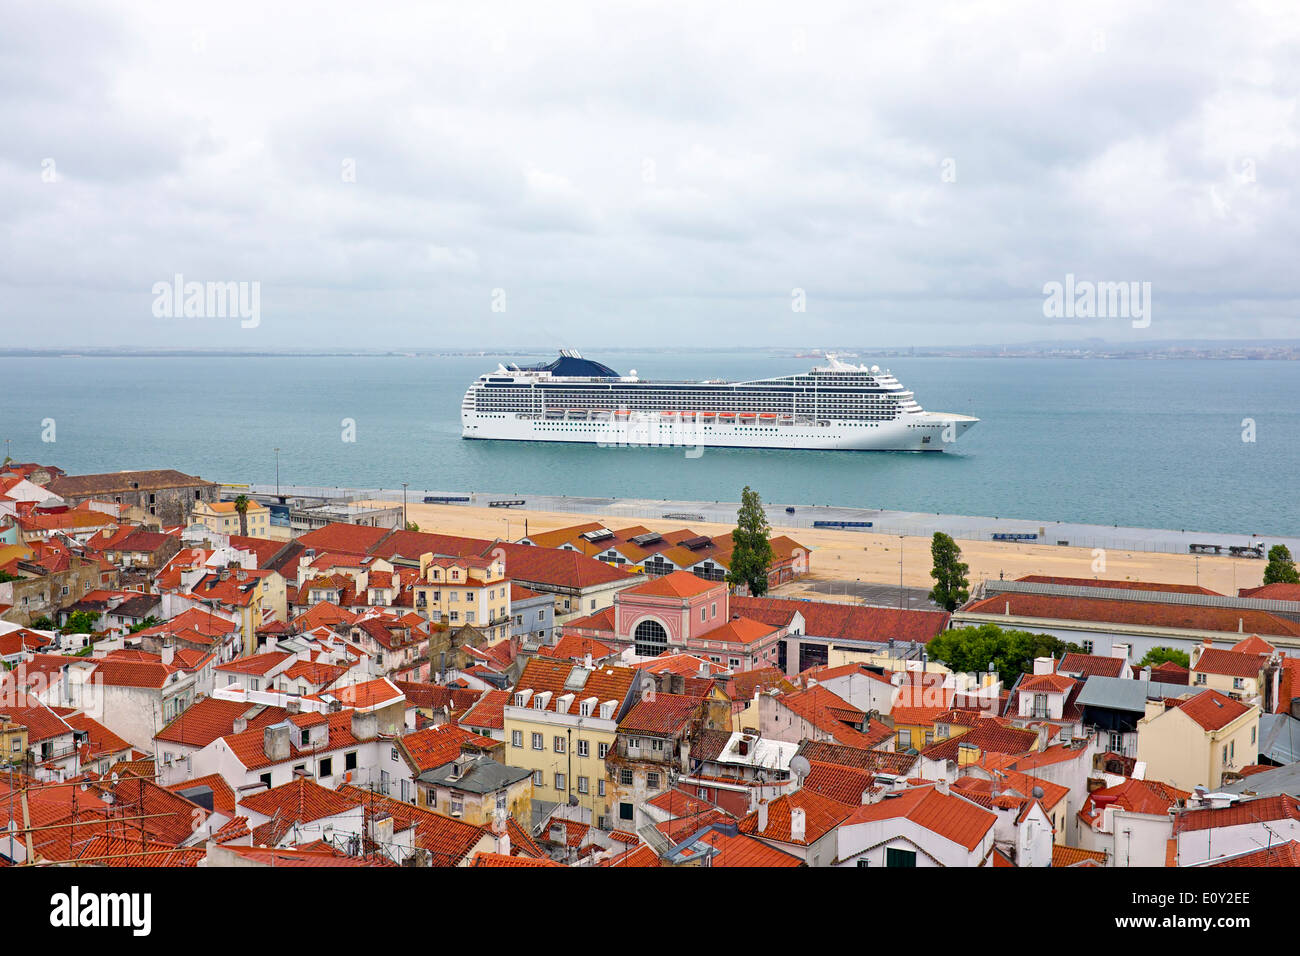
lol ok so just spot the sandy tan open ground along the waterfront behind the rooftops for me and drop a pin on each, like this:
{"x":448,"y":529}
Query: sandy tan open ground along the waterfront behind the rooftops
{"x":874,"y":559}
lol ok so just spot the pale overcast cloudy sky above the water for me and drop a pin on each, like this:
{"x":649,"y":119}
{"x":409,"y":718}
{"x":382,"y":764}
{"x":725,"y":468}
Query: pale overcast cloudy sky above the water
{"x":466,"y":175}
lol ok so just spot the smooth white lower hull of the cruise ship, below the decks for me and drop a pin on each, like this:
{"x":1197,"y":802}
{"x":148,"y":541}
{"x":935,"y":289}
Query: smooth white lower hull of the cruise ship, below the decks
{"x":921,"y":432}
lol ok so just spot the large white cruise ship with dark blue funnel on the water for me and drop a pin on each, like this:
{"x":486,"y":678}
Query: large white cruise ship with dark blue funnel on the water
{"x":837,"y":406}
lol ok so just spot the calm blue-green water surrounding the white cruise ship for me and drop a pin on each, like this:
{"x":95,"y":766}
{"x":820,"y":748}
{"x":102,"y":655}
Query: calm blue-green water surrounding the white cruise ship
{"x":1149,"y":444}
